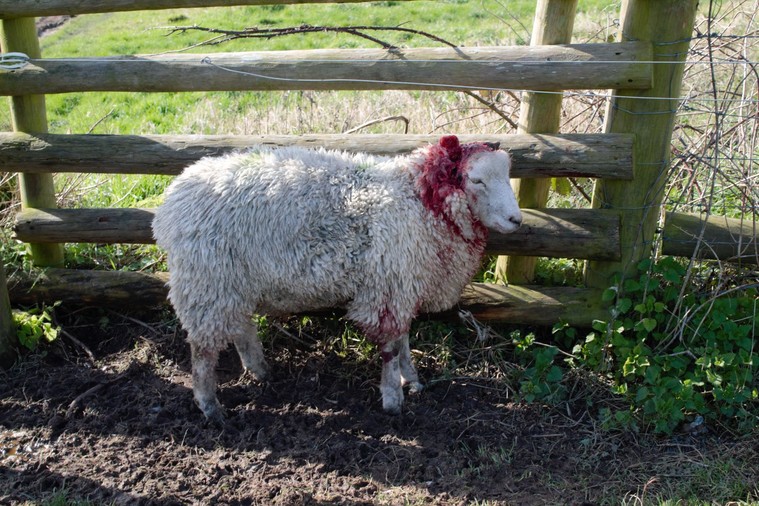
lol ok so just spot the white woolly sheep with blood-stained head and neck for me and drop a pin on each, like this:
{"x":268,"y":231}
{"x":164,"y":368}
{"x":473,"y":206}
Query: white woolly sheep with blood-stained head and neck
{"x":277,"y":231}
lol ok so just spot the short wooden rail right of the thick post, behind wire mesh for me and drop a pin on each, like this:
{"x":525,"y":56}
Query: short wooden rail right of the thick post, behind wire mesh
{"x":722,"y":238}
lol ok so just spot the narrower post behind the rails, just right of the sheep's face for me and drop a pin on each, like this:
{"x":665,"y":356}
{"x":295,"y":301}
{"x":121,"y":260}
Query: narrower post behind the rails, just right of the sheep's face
{"x":539,"y":113}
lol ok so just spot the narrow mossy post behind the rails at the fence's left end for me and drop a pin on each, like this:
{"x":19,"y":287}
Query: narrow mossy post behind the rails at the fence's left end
{"x":28,"y":115}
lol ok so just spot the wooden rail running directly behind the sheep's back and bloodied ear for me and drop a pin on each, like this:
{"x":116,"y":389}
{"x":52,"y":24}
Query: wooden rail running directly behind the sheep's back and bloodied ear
{"x":588,"y":155}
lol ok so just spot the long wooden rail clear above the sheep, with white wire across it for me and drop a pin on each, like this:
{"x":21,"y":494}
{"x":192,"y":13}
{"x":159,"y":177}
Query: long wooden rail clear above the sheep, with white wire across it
{"x":578,"y":66}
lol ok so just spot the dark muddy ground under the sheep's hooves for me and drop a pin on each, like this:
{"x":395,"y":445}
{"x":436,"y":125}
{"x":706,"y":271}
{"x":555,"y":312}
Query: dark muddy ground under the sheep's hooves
{"x":105,"y":414}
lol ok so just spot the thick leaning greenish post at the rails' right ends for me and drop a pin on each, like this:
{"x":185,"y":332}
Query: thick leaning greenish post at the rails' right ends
{"x":668,"y":25}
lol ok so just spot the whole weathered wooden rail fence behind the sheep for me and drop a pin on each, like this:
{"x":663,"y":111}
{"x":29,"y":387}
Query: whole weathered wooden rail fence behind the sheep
{"x":627,"y":160}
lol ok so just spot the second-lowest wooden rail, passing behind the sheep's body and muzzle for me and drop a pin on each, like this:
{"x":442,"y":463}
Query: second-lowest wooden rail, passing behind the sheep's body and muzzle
{"x":565,"y":233}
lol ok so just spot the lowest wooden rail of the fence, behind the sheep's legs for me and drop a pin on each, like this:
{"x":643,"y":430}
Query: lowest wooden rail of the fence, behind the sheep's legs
{"x":523,"y":304}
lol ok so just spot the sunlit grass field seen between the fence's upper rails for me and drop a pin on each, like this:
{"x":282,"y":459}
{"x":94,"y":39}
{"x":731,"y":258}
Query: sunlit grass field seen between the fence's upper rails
{"x":141,"y":33}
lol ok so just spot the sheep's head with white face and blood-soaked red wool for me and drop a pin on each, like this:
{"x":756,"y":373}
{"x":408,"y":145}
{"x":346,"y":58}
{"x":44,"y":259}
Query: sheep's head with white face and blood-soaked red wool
{"x":480,"y":171}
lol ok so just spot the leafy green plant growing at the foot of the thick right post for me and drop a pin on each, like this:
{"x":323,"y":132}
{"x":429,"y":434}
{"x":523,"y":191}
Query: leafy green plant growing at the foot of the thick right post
{"x":675,"y":352}
